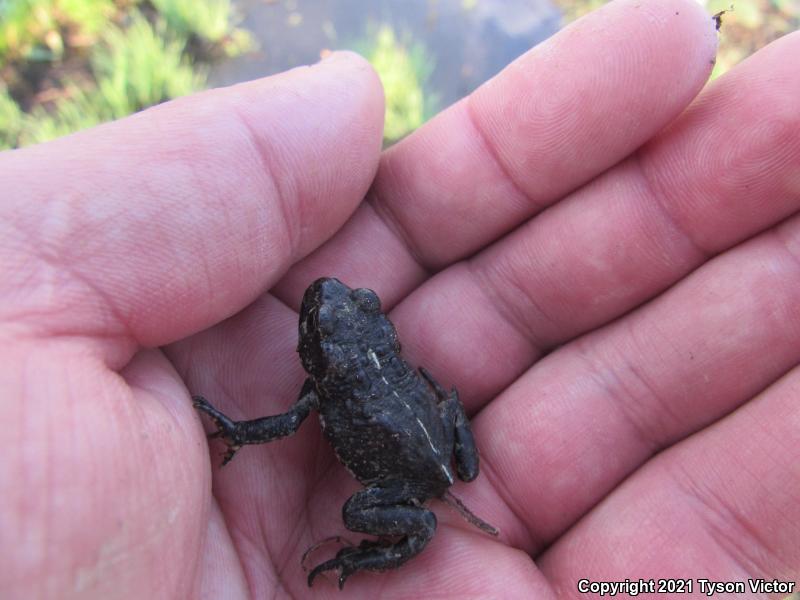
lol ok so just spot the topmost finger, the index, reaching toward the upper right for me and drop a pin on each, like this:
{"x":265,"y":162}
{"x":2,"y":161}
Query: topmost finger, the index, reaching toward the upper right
{"x":556,"y":117}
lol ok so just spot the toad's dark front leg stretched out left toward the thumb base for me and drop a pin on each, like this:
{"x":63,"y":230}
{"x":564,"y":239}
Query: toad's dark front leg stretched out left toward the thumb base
{"x":236,"y":434}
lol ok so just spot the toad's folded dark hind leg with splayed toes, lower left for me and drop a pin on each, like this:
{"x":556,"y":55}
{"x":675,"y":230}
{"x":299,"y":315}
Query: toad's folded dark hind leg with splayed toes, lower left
{"x":384,"y":512}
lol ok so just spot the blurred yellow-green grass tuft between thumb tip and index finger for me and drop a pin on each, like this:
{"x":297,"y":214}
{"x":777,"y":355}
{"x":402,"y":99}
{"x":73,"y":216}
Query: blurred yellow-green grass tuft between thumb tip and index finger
{"x":404,"y":68}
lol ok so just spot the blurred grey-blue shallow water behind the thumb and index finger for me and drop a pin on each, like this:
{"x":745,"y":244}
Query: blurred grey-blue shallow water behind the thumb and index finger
{"x":468,"y":40}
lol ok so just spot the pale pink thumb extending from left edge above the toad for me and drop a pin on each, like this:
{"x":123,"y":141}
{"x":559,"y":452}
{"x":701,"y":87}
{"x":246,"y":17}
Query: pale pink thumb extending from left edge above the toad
{"x":147,"y":229}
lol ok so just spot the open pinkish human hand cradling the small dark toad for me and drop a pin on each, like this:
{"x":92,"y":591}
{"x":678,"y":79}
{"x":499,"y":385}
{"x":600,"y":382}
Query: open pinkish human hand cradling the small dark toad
{"x":615,"y":302}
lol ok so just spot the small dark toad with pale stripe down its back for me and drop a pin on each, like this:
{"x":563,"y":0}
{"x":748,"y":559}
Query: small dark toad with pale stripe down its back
{"x":393,"y":427}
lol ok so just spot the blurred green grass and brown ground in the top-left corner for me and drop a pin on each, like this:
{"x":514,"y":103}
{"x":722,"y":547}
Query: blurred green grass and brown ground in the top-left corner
{"x":73,"y":64}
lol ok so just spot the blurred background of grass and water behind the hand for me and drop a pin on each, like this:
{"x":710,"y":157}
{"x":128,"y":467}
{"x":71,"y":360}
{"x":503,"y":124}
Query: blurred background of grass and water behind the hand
{"x":69,"y":64}
